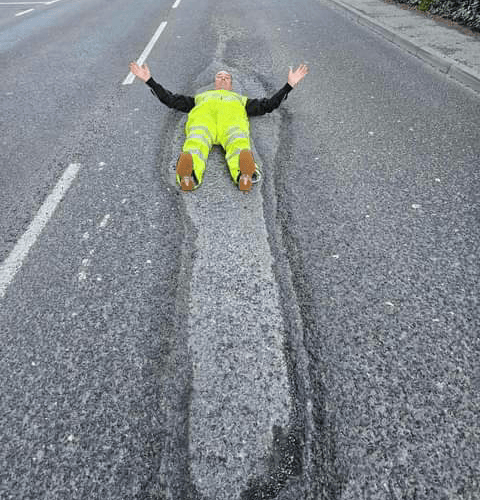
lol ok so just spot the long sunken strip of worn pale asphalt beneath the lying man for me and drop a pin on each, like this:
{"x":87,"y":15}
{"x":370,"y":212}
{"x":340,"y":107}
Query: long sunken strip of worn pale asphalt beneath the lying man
{"x":246,"y":430}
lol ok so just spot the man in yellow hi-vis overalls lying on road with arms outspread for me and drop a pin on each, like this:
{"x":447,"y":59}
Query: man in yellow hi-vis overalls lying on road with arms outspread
{"x":219,"y":117}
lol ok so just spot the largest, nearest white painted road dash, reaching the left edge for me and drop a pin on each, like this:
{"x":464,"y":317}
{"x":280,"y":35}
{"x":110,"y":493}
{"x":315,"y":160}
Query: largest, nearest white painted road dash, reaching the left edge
{"x":13,"y":262}
